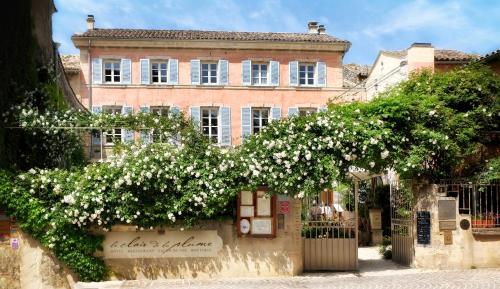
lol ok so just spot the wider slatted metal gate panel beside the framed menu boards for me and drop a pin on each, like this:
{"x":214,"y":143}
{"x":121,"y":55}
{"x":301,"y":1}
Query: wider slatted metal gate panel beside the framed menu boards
{"x":330,"y":231}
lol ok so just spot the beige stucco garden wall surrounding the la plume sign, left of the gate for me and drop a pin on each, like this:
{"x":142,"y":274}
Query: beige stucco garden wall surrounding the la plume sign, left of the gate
{"x":239,"y":257}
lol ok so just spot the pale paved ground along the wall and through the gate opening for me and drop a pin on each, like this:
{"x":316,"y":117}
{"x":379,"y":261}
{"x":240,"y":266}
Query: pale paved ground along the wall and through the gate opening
{"x":374,"y":273}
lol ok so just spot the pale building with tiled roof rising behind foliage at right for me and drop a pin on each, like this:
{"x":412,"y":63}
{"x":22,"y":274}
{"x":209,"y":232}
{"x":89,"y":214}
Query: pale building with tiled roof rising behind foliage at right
{"x":392,"y":67}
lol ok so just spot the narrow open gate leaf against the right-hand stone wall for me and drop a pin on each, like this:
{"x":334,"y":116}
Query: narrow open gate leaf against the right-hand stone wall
{"x":403,"y":250}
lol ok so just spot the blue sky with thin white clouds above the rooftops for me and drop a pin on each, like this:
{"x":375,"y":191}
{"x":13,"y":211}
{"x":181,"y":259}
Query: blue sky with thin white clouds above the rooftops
{"x":370,"y":25}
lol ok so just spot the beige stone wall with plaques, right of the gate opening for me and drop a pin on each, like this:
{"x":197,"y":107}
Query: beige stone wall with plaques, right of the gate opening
{"x":466,"y":251}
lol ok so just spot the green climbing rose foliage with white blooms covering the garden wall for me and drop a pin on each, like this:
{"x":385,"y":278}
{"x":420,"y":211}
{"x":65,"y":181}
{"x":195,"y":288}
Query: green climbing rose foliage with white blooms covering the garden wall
{"x":423,"y":127}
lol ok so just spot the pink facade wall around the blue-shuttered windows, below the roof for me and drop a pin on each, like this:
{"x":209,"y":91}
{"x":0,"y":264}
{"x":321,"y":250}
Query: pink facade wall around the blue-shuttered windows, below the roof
{"x":235,"y":95}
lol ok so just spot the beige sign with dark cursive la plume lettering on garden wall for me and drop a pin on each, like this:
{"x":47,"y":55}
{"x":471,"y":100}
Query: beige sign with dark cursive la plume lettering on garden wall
{"x":171,"y":244}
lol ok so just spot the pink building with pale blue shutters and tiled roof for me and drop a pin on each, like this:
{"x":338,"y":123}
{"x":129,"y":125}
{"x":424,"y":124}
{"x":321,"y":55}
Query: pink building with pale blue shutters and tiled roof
{"x":232,"y":83}
